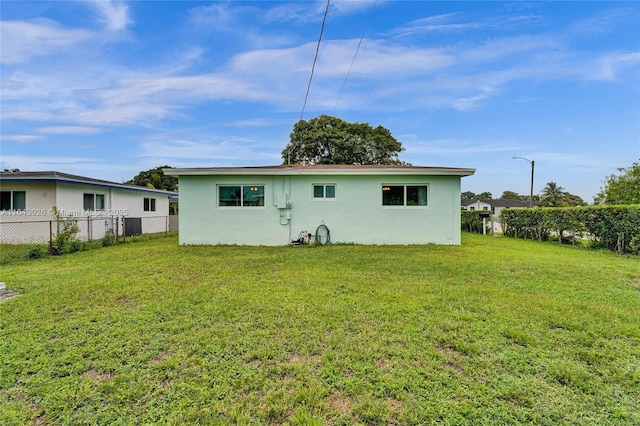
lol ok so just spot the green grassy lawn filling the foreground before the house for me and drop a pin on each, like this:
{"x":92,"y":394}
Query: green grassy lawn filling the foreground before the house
{"x":496,"y":331}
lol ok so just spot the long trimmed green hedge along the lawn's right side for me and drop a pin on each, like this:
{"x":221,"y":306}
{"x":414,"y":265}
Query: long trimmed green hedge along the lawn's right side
{"x":616,"y":228}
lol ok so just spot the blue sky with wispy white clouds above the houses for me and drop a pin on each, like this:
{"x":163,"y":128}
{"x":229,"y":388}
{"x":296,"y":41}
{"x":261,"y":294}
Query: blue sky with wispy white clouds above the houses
{"x":106,"y":89}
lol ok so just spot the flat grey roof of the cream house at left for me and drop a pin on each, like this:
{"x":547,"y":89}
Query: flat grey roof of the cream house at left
{"x":58,"y":177}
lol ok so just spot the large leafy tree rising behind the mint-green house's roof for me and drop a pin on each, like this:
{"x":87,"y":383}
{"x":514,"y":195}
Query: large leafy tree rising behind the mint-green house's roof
{"x":330,"y":140}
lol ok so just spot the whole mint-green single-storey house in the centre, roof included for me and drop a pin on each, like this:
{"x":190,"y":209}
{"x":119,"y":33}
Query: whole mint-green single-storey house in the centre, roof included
{"x":272,"y":205}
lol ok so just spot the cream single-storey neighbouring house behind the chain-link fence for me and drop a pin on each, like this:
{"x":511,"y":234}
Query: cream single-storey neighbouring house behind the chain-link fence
{"x":27,"y":201}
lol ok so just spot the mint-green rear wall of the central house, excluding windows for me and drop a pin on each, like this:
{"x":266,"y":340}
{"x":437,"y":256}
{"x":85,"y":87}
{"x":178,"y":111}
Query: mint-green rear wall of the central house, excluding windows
{"x":355,"y":215}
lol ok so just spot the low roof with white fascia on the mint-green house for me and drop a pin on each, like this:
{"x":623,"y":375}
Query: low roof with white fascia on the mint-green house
{"x":322,"y":169}
